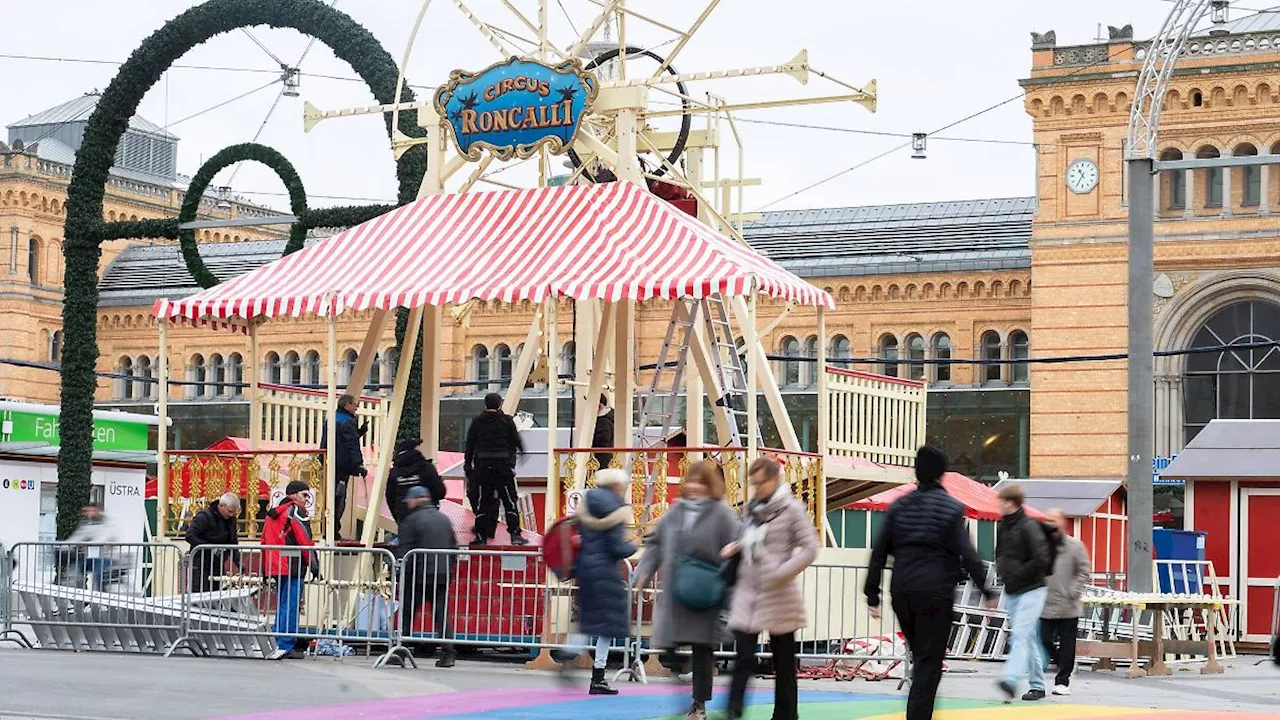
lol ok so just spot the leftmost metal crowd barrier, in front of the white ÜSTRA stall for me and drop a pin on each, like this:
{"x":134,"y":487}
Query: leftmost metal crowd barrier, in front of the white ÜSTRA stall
{"x":106,"y":596}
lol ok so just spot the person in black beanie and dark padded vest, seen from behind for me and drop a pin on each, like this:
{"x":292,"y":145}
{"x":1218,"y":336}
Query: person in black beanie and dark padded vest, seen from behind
{"x":925,"y":531}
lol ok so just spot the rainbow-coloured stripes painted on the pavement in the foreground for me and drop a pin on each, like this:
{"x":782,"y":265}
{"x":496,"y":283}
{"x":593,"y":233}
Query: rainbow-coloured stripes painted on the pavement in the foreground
{"x":670,"y":703}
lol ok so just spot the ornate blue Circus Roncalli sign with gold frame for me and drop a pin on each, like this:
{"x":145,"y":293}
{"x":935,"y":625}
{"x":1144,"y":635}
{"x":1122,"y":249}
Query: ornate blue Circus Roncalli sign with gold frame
{"x":514,"y":108}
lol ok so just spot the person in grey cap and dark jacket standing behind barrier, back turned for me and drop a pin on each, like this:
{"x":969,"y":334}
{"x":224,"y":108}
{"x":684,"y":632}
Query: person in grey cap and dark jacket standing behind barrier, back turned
{"x":427,"y":575}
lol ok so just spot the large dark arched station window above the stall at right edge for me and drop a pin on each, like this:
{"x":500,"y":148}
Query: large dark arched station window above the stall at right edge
{"x":1235,"y":384}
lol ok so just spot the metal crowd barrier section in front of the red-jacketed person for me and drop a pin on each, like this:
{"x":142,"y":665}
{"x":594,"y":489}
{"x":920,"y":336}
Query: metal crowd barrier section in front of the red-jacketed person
{"x":262,"y":601}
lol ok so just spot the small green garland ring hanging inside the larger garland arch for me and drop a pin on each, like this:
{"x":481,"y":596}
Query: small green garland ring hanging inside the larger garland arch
{"x":200,"y":184}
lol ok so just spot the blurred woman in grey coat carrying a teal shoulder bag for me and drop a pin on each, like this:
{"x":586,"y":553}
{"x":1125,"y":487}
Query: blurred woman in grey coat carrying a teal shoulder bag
{"x":700,"y":527}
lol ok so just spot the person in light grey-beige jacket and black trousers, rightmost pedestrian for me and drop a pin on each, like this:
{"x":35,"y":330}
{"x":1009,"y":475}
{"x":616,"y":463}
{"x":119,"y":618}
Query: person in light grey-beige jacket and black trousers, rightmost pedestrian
{"x":1060,"y":621}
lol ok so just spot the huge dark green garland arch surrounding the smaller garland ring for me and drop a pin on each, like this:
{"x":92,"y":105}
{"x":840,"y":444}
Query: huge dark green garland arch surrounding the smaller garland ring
{"x":85,"y":230}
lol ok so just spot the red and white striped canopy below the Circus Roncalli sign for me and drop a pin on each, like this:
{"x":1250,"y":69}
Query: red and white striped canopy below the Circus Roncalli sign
{"x":609,"y":241}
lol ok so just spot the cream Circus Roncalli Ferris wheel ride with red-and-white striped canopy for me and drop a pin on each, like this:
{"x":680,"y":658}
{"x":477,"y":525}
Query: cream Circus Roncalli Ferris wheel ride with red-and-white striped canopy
{"x":650,"y":215}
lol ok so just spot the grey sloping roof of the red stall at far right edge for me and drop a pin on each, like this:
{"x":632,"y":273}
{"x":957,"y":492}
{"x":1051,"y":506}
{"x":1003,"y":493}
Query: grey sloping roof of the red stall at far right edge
{"x":1229,"y":449}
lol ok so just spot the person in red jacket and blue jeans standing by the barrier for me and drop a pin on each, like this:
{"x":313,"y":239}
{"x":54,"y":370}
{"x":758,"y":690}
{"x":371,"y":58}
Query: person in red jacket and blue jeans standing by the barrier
{"x":286,"y":527}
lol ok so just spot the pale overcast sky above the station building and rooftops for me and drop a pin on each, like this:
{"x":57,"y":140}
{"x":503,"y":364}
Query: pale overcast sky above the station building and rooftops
{"x":936,"y":62}
